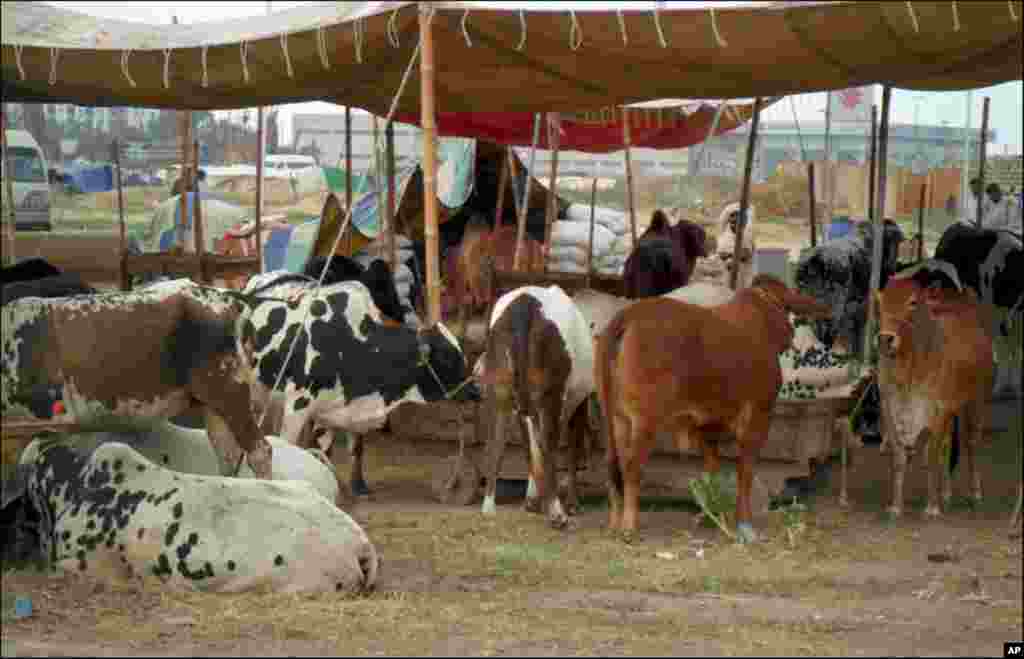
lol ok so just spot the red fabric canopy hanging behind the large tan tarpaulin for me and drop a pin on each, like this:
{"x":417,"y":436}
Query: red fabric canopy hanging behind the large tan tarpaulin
{"x":675,"y":126}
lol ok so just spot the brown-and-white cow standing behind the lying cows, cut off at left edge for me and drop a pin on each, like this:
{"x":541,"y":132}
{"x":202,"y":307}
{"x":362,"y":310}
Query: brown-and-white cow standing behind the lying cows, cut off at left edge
{"x":118,"y":359}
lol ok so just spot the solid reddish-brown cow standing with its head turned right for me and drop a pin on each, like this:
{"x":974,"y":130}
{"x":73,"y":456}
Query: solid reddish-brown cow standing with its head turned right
{"x":667,"y":365}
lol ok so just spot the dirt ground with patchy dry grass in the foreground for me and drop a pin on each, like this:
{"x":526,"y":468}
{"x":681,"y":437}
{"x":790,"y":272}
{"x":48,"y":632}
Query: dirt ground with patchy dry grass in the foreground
{"x":454,"y":583}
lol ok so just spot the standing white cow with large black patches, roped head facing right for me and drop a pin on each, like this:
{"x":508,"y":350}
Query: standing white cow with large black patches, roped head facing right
{"x":351,"y":368}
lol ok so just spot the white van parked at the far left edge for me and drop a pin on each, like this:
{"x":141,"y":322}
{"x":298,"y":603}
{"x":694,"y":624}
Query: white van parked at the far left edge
{"x":30,"y":182}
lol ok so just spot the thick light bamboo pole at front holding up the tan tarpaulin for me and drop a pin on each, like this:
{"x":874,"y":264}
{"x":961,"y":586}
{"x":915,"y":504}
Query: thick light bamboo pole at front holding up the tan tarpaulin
{"x":428,"y":120}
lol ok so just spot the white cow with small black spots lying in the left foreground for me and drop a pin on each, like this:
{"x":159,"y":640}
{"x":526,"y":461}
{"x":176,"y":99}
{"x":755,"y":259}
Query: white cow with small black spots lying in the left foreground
{"x":111,"y":513}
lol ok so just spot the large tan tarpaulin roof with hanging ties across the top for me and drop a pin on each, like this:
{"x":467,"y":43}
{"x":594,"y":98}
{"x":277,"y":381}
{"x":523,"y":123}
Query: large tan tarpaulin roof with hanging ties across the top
{"x":568,"y":62}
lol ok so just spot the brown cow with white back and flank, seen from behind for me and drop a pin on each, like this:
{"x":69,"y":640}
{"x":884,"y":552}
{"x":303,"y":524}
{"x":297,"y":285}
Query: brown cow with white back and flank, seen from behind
{"x":539,"y":368}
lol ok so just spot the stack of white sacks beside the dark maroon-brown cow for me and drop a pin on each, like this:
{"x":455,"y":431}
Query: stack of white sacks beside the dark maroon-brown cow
{"x":570,"y":239}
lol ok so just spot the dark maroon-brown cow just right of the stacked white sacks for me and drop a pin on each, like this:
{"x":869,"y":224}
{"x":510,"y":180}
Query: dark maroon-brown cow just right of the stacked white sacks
{"x":665,"y":257}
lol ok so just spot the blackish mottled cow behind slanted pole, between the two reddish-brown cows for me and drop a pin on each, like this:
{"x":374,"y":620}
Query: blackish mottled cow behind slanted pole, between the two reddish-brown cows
{"x":839,"y":274}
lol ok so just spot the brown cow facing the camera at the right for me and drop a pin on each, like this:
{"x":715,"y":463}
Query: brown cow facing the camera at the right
{"x":935,"y":364}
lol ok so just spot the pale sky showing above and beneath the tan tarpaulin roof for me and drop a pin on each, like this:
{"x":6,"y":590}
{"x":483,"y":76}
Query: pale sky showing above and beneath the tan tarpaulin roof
{"x":933,"y":109}
